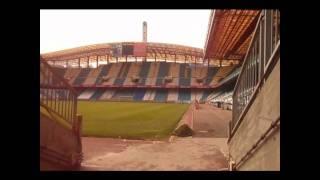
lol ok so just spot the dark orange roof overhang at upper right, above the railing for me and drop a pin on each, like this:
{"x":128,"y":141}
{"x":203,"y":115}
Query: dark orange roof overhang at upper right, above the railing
{"x":229,"y":33}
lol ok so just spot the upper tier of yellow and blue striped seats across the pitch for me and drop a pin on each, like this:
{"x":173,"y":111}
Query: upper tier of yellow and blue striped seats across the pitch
{"x":145,"y":74}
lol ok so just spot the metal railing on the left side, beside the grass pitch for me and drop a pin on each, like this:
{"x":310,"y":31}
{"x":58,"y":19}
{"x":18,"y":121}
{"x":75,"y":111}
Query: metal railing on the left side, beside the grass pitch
{"x":56,"y":95}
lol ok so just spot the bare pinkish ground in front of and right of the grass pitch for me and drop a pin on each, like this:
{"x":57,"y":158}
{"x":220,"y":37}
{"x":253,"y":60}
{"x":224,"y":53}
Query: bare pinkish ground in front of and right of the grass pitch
{"x":206,"y":151}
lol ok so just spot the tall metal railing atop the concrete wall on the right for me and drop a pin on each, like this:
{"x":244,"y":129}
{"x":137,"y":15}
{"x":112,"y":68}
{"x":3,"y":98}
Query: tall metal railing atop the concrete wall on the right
{"x":264,"y":44}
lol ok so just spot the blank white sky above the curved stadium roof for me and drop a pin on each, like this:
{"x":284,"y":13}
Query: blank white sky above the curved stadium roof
{"x":61,"y":29}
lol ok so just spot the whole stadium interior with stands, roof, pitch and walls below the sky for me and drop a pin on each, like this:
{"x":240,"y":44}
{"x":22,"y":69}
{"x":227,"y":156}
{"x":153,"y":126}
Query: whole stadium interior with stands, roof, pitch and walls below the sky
{"x":124,"y":105}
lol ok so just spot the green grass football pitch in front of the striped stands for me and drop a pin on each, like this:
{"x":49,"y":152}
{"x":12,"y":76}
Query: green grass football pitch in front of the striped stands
{"x":132,"y":120}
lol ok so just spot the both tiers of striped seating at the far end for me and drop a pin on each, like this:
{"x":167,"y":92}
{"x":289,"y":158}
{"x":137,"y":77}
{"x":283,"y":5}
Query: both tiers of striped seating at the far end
{"x":149,"y":73}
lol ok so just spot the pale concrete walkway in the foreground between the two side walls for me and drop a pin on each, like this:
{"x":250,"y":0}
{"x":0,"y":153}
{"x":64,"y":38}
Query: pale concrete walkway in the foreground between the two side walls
{"x":183,"y":154}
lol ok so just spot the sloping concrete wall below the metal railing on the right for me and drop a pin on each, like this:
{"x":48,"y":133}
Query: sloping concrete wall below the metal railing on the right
{"x":264,"y":110}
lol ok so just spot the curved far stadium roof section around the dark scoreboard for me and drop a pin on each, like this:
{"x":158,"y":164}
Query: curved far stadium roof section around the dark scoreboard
{"x":153,"y":50}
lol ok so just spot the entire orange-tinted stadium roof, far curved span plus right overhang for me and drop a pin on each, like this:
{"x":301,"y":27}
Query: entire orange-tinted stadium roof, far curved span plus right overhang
{"x":228,"y":38}
